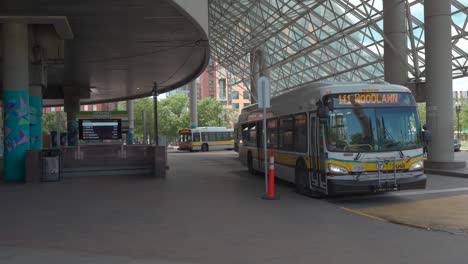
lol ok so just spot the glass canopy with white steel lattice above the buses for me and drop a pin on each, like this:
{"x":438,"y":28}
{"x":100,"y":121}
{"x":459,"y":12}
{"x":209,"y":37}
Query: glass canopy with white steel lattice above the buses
{"x":318,"y":40}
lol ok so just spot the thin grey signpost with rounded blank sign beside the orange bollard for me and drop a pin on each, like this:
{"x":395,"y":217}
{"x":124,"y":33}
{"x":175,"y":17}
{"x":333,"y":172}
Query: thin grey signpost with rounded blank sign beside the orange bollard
{"x":263,"y":93}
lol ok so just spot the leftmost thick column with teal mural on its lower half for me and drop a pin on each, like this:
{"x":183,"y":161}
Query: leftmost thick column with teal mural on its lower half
{"x":15,"y":99}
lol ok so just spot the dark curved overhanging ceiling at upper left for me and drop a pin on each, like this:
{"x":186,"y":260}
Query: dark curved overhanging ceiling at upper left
{"x":119,"y":48}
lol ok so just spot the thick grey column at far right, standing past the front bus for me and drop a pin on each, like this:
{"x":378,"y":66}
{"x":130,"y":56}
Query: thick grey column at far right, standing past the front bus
{"x":439,"y":83}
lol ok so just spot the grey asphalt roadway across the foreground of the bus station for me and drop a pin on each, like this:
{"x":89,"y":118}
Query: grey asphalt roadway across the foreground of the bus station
{"x":208,"y":210}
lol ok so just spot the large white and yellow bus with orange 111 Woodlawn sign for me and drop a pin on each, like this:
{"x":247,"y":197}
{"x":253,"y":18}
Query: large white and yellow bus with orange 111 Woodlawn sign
{"x":339,"y":138}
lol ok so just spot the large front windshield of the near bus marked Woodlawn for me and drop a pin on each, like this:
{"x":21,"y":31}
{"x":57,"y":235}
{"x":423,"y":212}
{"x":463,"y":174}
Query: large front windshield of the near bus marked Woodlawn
{"x":373,"y":129}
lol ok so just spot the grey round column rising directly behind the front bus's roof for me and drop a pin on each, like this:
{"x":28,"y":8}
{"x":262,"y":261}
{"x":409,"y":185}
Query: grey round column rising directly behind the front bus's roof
{"x":395,"y":50}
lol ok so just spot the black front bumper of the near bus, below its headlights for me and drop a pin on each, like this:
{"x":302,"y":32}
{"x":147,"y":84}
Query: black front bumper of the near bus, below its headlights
{"x":353,"y":184}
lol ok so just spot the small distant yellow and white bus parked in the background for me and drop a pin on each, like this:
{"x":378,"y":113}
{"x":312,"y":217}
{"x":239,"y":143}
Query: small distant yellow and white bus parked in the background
{"x":206,"y":138}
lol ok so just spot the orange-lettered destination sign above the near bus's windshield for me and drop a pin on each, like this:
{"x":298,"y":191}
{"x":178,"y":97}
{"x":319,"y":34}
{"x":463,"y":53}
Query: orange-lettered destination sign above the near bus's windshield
{"x":370,"y":99}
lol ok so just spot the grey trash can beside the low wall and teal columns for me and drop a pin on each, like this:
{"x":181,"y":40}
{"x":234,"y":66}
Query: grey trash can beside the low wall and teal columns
{"x":51,"y":165}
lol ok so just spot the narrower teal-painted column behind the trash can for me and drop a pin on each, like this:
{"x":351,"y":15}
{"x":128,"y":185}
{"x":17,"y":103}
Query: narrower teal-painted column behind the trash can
{"x":35,"y":105}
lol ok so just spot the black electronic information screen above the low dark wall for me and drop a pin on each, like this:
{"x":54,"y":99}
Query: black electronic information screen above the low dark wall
{"x":97,"y":129}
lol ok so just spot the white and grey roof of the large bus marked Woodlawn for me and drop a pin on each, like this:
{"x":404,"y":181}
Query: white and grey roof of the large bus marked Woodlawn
{"x":305,"y":97}
